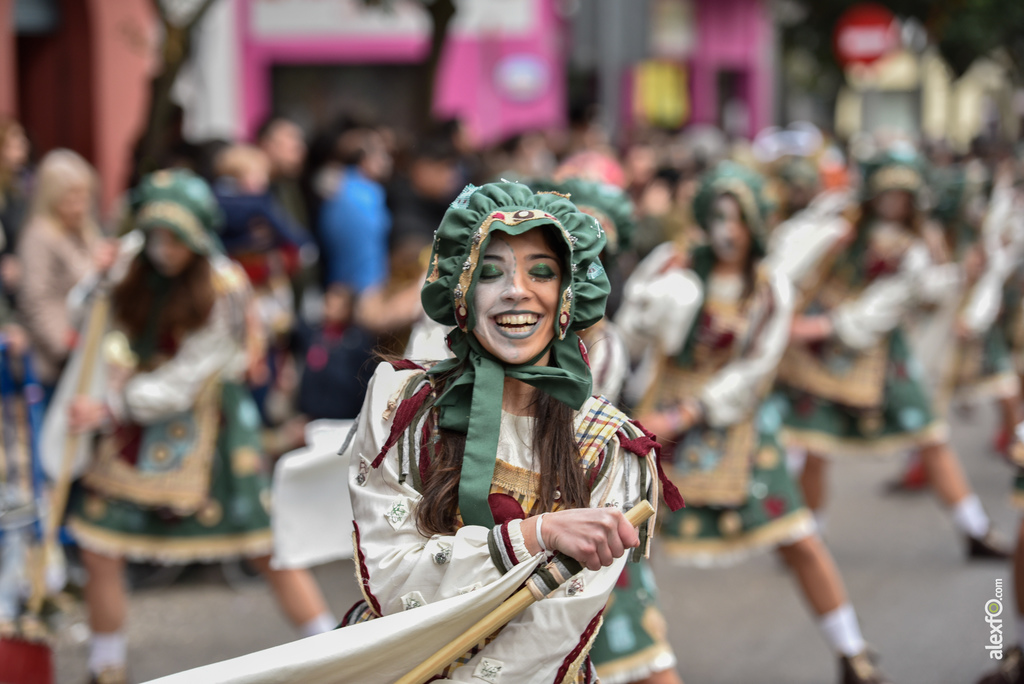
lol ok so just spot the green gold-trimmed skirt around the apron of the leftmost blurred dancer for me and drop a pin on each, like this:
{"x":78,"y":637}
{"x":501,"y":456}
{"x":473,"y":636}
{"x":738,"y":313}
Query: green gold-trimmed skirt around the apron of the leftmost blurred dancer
{"x":233,"y":522}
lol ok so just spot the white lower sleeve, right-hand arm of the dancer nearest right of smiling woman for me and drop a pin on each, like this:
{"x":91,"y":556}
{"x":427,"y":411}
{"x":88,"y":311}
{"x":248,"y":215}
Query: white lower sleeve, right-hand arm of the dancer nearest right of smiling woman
{"x":736,"y":391}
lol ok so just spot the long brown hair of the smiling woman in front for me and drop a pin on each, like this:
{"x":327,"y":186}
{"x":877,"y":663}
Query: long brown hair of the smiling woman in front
{"x":557,"y":457}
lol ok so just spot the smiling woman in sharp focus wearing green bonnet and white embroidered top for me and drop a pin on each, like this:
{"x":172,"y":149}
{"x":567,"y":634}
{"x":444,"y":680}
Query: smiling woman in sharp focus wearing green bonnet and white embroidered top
{"x":501,"y":456}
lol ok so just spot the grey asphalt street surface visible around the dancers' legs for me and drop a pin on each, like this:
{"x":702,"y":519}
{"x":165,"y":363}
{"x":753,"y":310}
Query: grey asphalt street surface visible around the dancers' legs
{"x":921,"y":605}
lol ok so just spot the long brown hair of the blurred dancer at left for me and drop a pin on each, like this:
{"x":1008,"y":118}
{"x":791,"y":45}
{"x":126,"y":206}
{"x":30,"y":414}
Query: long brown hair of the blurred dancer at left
{"x":186,"y":308}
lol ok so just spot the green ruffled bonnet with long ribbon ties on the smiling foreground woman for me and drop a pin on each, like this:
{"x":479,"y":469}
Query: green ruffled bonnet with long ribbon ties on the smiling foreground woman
{"x":472,"y":400}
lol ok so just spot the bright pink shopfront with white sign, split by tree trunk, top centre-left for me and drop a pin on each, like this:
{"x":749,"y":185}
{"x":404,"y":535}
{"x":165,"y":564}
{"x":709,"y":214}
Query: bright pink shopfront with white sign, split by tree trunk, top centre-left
{"x":502,"y":71}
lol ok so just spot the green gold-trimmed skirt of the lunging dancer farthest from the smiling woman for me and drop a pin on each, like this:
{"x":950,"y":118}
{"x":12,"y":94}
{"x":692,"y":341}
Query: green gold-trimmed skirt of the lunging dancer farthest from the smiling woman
{"x":905,"y":420}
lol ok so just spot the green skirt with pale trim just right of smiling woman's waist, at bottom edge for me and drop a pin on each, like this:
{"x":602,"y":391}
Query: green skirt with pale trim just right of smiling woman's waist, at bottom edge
{"x":633,"y":643}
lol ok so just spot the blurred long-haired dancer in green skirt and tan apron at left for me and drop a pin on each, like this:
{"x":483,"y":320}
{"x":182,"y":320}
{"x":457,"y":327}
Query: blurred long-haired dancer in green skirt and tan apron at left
{"x":178,"y":475}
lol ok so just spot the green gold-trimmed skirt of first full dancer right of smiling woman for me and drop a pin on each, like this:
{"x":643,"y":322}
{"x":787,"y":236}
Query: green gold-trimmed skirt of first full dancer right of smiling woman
{"x":773,"y":516}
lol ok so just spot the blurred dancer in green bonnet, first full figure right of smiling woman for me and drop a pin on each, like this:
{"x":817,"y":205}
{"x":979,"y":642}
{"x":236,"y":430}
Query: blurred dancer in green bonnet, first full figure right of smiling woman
{"x":719,"y":322}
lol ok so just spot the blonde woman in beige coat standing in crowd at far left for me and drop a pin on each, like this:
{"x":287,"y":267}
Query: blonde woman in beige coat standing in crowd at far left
{"x":61,"y":245}
